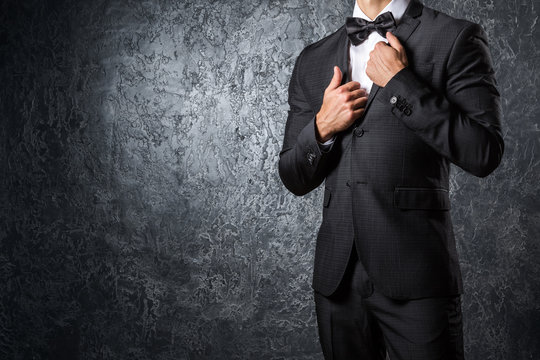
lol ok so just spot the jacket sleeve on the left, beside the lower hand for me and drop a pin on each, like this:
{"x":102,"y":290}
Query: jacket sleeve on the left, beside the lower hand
{"x":302,"y":164}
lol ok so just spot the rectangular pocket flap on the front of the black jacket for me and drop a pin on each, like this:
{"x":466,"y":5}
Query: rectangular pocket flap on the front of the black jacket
{"x":421,"y":198}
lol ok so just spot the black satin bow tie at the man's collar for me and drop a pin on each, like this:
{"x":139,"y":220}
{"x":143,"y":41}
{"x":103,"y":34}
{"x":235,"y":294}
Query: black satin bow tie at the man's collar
{"x":359,"y":29}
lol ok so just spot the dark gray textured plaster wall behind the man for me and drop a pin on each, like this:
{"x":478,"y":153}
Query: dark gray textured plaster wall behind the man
{"x":141,"y":214}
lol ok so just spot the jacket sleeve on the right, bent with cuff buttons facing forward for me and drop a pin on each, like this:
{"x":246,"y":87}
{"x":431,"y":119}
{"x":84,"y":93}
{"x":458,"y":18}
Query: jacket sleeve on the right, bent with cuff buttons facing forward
{"x":464,"y":123}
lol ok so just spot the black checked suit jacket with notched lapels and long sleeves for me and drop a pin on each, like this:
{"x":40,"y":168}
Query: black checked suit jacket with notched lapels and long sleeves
{"x":386,"y":177}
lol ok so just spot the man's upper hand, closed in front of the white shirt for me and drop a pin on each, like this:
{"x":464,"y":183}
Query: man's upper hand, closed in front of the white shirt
{"x":386,"y":60}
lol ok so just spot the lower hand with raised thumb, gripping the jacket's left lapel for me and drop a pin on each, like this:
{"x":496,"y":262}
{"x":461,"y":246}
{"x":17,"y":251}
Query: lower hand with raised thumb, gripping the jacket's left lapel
{"x":342,"y":105}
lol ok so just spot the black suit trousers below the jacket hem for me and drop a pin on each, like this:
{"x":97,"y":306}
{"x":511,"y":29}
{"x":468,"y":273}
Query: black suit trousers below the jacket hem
{"x":358,"y":322}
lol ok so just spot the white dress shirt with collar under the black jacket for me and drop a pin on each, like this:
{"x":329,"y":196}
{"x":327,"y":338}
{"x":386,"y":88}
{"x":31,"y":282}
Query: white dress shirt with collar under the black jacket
{"x":359,"y":54}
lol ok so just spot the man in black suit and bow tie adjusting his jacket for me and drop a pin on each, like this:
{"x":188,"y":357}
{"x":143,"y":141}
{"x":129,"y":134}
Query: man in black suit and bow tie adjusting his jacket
{"x":378,"y":110}
